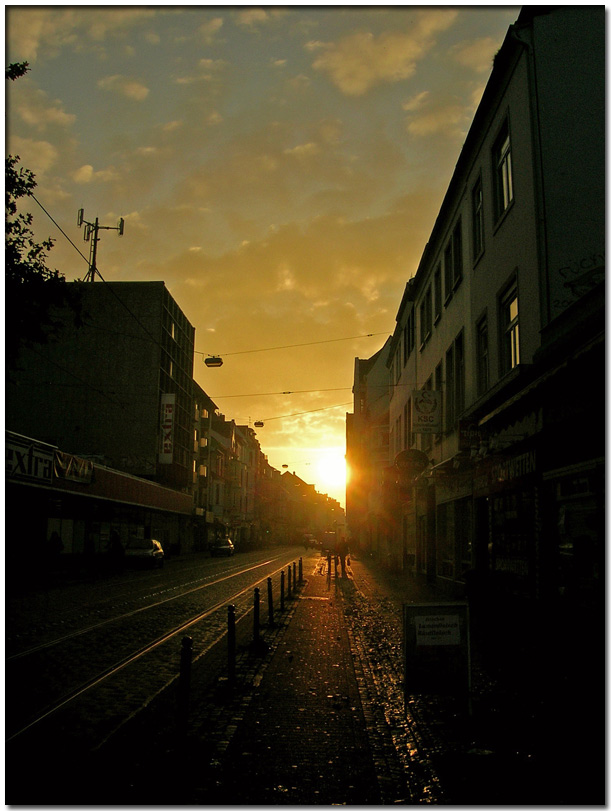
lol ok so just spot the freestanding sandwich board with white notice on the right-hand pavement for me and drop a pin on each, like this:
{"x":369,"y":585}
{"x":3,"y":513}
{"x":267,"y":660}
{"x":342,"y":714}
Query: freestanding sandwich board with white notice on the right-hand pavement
{"x":437,"y":648}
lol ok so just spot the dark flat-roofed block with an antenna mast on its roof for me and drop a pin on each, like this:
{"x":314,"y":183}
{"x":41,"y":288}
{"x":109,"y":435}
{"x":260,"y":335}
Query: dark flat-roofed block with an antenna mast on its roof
{"x":118,"y":388}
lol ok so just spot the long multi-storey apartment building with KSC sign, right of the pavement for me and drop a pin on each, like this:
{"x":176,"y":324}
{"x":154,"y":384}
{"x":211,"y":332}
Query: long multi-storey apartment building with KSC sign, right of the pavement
{"x":496,"y":452}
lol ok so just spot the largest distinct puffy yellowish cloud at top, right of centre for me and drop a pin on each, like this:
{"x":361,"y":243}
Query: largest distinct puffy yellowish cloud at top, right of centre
{"x":361,"y":60}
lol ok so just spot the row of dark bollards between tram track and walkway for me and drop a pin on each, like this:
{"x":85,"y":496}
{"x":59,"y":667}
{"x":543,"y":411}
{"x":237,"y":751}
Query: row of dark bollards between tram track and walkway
{"x":186,"y":654}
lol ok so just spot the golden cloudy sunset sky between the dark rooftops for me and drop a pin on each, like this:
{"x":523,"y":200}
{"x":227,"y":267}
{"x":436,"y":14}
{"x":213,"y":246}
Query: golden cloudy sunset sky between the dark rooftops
{"x":279,"y":168}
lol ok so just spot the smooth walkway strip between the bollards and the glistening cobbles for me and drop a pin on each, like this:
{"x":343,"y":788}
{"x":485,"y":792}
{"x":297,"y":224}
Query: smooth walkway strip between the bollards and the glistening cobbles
{"x":303,"y":737}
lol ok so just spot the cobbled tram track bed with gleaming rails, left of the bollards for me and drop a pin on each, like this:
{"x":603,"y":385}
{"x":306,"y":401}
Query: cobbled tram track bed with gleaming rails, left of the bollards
{"x":102,"y":694}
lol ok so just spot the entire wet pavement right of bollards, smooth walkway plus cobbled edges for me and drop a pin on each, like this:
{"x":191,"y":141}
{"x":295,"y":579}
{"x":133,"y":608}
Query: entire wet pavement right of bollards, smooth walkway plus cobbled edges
{"x":317,"y":716}
